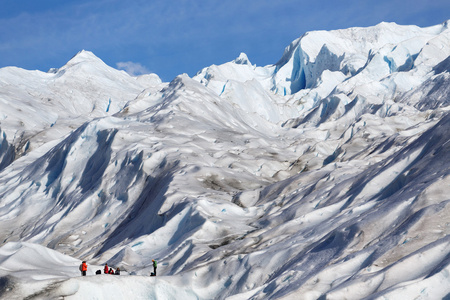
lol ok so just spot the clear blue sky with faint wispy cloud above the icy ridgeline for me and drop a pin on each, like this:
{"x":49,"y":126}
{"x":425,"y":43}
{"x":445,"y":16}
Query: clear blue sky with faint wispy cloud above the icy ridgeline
{"x":170,"y":37}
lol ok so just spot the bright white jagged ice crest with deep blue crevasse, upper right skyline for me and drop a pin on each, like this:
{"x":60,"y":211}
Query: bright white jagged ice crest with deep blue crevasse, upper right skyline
{"x":349,"y":51}
